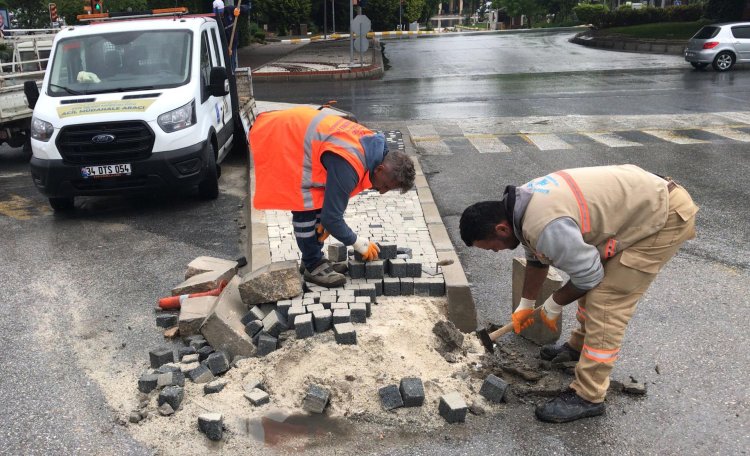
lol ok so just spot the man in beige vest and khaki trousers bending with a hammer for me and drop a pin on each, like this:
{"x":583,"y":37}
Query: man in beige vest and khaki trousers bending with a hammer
{"x":611,"y":229}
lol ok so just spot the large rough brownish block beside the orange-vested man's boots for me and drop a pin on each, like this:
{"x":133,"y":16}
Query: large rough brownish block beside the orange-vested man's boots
{"x":270,"y":283}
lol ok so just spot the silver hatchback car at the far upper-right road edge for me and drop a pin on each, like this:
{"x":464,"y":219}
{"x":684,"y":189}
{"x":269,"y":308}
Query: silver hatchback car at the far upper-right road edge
{"x":721,"y":45}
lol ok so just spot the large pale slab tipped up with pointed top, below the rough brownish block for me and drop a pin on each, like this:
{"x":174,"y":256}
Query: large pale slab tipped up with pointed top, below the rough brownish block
{"x":223,"y":328}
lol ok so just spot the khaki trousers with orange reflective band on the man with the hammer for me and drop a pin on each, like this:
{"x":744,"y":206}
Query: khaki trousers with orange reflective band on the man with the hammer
{"x":604,"y":312}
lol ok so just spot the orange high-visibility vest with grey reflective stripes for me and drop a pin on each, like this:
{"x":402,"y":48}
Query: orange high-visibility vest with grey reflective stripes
{"x":287,"y":146}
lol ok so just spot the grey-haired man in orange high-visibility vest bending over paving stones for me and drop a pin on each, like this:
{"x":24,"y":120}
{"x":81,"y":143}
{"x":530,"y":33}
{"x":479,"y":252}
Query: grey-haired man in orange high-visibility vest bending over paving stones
{"x":311,"y":163}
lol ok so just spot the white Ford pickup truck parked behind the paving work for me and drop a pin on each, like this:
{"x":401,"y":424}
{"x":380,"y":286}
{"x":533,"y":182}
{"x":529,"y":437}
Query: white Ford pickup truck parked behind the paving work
{"x":137,"y":105}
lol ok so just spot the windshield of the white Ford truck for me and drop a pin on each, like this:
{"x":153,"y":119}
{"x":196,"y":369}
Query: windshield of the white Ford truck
{"x":120,"y":62}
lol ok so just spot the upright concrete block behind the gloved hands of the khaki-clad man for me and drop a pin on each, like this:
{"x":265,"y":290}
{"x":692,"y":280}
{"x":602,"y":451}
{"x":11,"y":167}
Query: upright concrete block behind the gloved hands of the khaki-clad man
{"x":537,"y":332}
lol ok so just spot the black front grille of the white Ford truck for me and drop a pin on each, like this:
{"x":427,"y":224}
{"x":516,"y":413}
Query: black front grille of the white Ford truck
{"x":132,"y":141}
